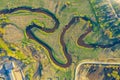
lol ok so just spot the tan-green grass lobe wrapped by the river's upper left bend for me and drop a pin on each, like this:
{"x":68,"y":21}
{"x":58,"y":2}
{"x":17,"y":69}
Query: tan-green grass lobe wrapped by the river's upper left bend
{"x":24,"y":18}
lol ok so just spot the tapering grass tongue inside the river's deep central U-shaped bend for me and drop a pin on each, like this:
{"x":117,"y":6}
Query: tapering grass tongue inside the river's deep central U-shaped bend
{"x":54,"y":44}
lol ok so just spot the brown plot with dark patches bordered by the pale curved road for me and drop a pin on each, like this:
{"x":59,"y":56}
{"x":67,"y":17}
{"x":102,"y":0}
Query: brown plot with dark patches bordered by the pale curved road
{"x":101,"y":71}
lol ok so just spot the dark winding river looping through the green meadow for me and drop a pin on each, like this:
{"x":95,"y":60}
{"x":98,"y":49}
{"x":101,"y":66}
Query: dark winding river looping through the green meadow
{"x":80,"y":41}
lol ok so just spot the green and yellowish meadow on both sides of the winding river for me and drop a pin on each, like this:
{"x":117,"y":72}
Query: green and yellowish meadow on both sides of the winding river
{"x":64,"y":10}
